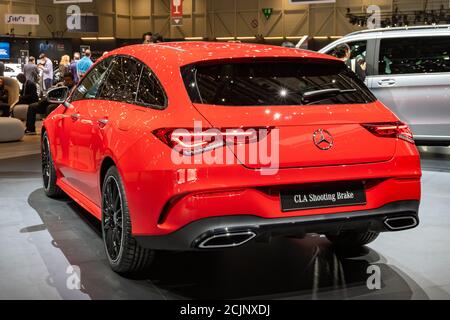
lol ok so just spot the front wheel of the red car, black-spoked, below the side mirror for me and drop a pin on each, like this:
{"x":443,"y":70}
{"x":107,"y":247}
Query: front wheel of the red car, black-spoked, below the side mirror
{"x":48,"y":170}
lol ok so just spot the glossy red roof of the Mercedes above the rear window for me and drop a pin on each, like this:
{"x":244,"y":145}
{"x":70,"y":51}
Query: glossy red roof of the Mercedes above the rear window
{"x":184,"y":53}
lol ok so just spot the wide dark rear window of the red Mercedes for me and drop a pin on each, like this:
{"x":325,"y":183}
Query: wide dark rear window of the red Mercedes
{"x":268,"y":83}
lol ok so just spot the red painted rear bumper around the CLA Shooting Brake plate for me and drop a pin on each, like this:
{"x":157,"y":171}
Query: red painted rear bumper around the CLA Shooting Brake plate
{"x":167,"y":199}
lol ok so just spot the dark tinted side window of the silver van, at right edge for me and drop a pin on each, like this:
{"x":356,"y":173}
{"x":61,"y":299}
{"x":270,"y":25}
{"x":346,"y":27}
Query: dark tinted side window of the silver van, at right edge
{"x":414,"y":55}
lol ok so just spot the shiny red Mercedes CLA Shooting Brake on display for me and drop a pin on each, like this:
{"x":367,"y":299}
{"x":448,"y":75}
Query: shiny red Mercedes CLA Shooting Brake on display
{"x":197,"y":146}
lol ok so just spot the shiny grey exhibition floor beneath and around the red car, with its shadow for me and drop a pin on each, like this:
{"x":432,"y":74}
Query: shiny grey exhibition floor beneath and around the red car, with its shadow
{"x":43,"y":241}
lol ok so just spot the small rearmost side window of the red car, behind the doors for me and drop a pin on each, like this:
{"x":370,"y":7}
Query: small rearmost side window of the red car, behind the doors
{"x":150,"y":91}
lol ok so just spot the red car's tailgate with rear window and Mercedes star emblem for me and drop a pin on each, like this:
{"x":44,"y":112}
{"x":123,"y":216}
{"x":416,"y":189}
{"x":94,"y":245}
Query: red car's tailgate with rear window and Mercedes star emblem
{"x":320,"y":132}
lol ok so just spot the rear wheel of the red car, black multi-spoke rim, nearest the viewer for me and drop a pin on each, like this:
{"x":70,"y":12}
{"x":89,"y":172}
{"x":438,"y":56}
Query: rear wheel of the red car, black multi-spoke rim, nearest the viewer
{"x":129,"y":257}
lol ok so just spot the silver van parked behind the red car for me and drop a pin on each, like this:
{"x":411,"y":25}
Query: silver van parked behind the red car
{"x":408,"y":69}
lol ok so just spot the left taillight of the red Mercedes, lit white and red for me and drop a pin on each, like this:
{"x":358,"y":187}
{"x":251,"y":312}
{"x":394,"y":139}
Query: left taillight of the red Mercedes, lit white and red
{"x":190,"y":141}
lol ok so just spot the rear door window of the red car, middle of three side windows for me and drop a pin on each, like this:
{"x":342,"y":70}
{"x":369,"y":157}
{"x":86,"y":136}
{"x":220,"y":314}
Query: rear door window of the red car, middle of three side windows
{"x":122,"y":82}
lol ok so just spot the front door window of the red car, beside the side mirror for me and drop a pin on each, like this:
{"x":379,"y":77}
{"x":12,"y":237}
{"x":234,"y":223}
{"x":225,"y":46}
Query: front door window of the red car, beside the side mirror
{"x":91,"y":83}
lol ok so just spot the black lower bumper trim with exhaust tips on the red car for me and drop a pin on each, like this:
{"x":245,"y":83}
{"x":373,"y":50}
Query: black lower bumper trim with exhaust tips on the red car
{"x":191,"y":236}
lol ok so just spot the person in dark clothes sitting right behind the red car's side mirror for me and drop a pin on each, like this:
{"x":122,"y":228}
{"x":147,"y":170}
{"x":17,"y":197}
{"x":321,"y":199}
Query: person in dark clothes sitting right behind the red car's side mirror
{"x":44,"y":107}
